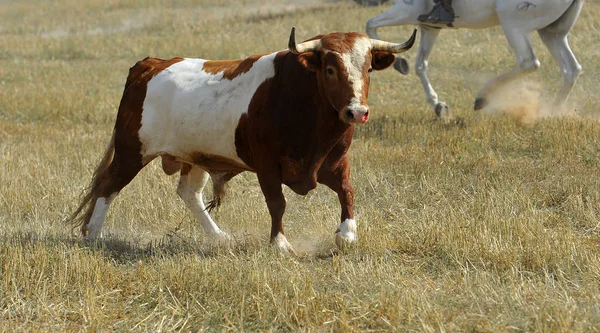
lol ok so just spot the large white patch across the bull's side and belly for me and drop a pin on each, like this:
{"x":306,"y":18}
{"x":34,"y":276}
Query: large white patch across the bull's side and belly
{"x":188,"y":110}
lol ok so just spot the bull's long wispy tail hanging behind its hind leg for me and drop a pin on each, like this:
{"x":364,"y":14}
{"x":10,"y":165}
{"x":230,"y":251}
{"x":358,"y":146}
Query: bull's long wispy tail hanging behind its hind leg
{"x":81,"y":216}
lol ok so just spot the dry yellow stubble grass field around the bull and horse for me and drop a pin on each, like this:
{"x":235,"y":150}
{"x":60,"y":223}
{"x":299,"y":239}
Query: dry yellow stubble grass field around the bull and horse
{"x":488,"y":223}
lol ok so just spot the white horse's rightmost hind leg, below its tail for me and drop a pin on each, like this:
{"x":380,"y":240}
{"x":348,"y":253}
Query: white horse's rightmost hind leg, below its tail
{"x":562,"y":54}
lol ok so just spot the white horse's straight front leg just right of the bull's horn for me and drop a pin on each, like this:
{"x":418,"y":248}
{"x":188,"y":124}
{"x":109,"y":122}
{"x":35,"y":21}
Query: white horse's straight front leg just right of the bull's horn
{"x":428,"y":38}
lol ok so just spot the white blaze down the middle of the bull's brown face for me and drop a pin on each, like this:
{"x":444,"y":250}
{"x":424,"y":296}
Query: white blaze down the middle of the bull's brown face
{"x":354,"y":62}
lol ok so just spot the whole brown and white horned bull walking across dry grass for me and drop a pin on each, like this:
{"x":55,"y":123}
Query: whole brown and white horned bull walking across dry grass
{"x":288,"y":116}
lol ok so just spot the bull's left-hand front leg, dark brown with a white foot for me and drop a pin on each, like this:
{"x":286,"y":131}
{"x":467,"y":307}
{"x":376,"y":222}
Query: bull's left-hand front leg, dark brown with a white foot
{"x":271,"y":189}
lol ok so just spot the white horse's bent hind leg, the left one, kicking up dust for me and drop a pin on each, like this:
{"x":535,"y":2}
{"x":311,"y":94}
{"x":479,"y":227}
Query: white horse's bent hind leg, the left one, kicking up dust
{"x":520,"y":41}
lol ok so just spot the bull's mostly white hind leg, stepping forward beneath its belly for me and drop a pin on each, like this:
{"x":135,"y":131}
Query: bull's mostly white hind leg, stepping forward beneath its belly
{"x":191,"y":185}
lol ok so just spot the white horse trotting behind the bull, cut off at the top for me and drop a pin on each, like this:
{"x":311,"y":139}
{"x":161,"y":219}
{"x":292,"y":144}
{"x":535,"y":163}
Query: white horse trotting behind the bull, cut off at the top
{"x":552,"y":19}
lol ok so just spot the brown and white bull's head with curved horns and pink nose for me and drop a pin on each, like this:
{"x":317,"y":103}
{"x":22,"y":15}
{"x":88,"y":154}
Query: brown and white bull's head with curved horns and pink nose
{"x":343,"y":63}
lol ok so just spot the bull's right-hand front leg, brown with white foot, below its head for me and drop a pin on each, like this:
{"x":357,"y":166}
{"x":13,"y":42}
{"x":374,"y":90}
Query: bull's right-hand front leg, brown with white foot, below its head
{"x":338,"y":180}
